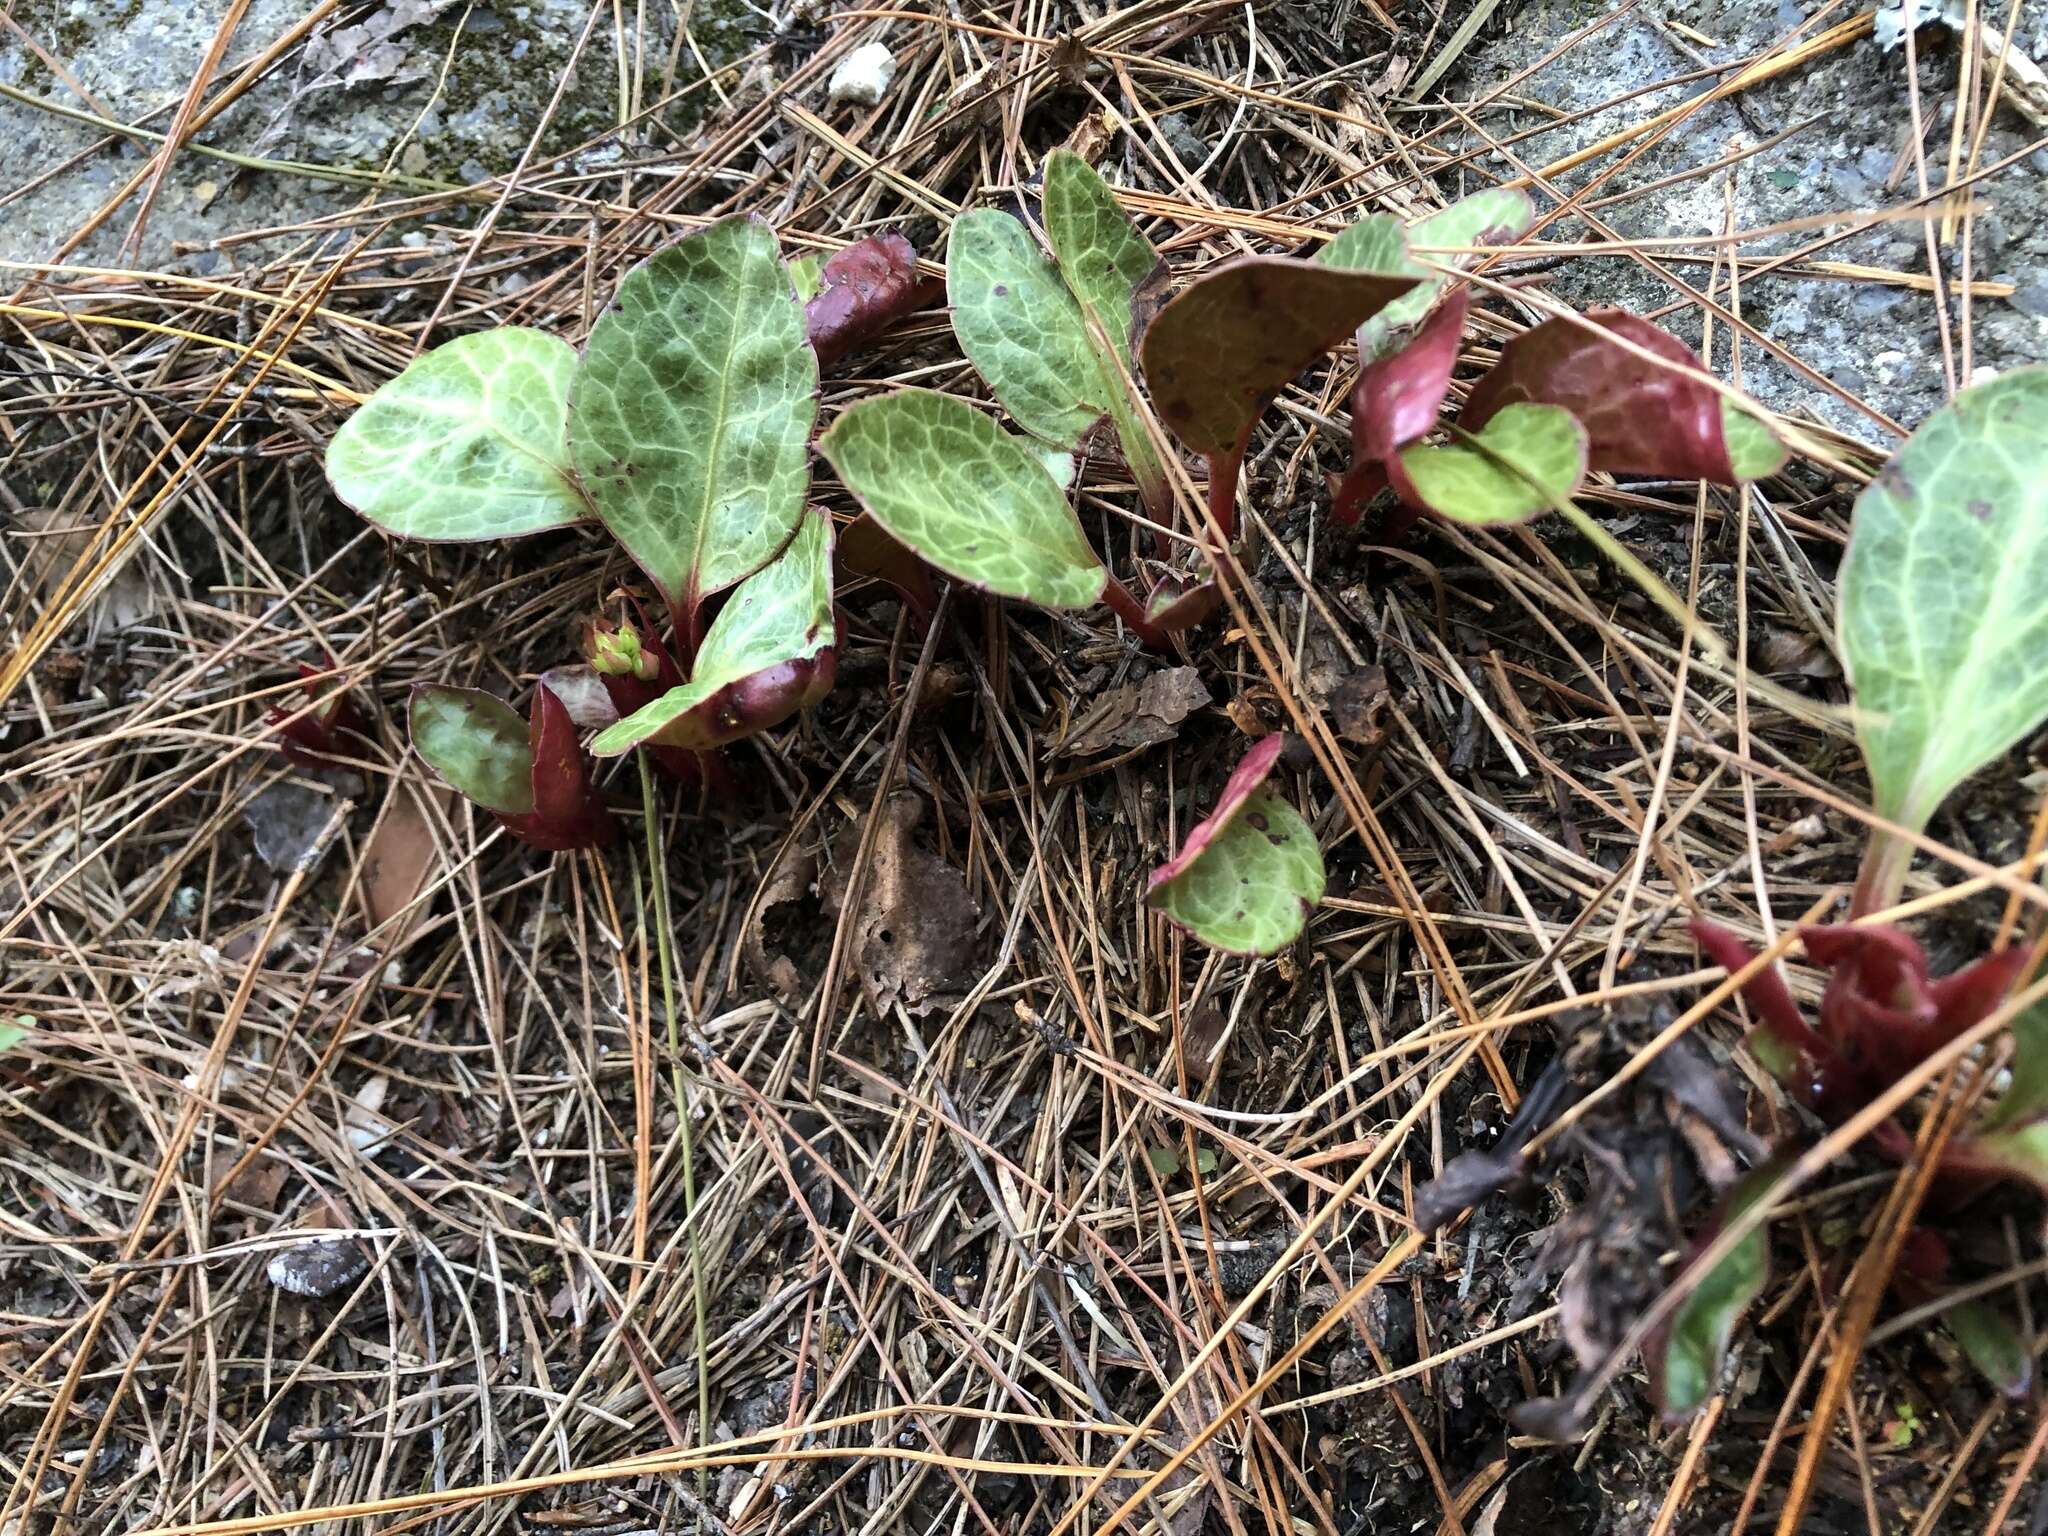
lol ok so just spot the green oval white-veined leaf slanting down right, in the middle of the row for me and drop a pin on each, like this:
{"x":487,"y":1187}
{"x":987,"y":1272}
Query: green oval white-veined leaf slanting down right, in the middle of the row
{"x":949,"y":484}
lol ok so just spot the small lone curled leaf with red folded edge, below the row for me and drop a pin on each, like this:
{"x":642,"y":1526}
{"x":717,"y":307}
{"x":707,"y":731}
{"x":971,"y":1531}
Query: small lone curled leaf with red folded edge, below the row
{"x":1246,"y":880}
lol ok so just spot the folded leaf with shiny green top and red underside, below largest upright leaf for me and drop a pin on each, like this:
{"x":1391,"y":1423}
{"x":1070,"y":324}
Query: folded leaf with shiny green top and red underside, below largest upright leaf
{"x":779,"y":617}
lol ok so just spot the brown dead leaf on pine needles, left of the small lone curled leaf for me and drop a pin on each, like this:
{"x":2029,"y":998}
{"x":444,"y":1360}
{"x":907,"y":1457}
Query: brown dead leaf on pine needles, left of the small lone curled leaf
{"x":914,"y":939}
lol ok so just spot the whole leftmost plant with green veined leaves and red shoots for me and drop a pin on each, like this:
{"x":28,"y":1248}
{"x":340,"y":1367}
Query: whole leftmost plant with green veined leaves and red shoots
{"x":685,"y":429}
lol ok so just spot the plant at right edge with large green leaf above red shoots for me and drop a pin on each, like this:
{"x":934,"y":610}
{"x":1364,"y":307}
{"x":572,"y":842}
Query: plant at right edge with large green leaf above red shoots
{"x":1943,"y":611}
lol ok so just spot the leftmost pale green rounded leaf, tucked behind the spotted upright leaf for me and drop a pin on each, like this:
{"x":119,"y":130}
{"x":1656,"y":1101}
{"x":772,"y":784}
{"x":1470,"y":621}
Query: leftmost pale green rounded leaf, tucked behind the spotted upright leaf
{"x":468,"y":443}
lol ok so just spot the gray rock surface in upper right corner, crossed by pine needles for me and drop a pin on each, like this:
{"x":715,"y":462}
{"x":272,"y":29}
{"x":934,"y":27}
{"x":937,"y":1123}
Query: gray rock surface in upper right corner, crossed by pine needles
{"x":1846,"y":157}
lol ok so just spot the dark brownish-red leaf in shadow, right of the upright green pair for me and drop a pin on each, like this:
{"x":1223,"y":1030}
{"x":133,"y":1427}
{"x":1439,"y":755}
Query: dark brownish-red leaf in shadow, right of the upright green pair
{"x":1242,"y":331}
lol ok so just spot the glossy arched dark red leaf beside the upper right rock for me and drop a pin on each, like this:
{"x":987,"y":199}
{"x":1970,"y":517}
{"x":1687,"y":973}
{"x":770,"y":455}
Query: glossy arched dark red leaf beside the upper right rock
{"x":1641,"y":419}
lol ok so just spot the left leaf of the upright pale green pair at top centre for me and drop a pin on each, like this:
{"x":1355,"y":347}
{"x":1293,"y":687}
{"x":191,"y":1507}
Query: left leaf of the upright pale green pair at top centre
{"x":1023,"y":329}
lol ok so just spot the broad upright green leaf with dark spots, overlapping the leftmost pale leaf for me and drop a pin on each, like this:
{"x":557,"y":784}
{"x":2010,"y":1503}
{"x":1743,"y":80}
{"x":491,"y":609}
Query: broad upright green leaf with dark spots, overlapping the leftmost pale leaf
{"x":693,"y":407}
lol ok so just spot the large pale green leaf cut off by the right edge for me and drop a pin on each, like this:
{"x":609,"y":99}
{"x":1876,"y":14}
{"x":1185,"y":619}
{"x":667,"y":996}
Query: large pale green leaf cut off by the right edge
{"x":1945,"y":595}
